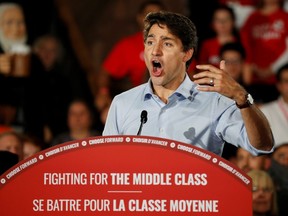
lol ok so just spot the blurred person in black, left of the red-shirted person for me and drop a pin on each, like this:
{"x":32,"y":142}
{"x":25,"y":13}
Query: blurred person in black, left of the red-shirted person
{"x":54,"y":84}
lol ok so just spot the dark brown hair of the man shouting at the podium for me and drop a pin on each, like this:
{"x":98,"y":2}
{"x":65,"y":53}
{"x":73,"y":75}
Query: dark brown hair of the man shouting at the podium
{"x":178,"y":25}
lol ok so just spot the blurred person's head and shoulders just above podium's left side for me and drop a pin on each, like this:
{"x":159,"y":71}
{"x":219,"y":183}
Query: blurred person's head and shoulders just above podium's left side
{"x":80,"y":123}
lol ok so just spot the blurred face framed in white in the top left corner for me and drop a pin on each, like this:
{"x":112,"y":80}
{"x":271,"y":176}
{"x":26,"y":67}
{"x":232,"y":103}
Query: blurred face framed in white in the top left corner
{"x":12,"y":24}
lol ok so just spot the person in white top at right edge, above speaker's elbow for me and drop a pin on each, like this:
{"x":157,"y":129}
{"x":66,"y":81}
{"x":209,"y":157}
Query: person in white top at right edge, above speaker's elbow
{"x":277,"y":111}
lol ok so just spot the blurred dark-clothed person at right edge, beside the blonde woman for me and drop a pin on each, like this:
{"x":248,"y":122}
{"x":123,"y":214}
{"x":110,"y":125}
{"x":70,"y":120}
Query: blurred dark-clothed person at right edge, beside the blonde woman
{"x":279,"y":173}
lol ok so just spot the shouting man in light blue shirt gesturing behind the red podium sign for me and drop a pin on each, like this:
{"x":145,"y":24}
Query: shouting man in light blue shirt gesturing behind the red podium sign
{"x":206,"y":112}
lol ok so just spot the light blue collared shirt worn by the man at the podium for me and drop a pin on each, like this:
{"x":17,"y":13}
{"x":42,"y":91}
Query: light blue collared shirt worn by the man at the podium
{"x":202,"y":119}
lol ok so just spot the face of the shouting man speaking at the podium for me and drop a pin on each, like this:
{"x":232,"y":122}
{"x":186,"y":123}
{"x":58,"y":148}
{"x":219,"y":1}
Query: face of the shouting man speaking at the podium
{"x":165,"y":58}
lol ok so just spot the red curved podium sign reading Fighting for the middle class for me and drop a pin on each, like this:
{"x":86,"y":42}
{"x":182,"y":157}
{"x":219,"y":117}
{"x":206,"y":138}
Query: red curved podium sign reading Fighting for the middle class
{"x":125,"y":175}
